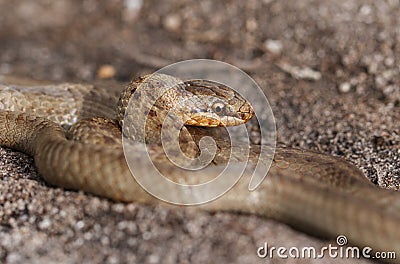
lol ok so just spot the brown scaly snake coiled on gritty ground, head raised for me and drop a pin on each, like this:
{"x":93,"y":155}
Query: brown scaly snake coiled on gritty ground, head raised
{"x":317,"y":193}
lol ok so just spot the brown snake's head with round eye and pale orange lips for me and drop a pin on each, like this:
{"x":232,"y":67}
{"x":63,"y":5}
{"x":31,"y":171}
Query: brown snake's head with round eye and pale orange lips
{"x":220,"y":105}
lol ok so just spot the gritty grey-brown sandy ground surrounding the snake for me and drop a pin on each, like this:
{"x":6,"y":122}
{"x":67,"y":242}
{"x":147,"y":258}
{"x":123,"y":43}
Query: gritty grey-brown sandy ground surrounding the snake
{"x":330,"y":70}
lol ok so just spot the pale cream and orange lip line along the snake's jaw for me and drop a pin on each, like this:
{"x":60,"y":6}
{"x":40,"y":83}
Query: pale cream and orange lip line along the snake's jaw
{"x":213,"y":120}
